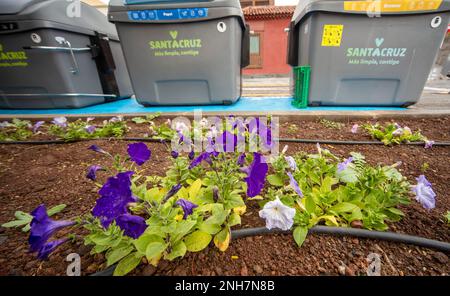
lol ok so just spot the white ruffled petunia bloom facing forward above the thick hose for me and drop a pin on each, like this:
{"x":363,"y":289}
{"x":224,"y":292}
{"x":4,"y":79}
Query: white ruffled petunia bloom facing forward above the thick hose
{"x":277,"y":215}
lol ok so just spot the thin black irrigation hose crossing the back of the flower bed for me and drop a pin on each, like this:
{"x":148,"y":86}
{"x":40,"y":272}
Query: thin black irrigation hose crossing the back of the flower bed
{"x":283,"y":140}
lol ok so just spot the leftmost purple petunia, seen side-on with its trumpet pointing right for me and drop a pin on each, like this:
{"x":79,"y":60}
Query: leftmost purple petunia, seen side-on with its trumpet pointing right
{"x":42,"y":228}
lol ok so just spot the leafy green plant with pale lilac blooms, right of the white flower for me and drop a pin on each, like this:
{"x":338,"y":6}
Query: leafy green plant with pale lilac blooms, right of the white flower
{"x":322,"y":188}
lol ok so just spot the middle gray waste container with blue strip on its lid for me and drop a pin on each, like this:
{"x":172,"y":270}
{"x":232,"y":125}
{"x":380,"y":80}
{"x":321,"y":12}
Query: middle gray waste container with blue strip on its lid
{"x":183,"y":52}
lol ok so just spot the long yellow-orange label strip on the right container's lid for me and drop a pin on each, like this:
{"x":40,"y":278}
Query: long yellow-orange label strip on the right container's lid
{"x":392,"y":5}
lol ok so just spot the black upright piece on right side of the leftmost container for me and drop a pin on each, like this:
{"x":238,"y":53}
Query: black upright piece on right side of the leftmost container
{"x":102,"y":54}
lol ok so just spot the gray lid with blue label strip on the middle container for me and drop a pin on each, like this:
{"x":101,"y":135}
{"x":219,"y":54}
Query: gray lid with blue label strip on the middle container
{"x":175,"y":10}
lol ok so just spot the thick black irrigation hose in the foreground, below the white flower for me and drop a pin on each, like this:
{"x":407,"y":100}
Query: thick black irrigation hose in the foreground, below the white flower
{"x":328,"y":230}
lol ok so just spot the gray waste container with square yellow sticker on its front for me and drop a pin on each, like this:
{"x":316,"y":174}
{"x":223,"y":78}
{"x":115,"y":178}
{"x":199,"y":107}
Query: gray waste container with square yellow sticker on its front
{"x":367,"y":54}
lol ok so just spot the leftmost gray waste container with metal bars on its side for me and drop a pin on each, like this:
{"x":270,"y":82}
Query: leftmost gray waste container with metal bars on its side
{"x":58,"y":54}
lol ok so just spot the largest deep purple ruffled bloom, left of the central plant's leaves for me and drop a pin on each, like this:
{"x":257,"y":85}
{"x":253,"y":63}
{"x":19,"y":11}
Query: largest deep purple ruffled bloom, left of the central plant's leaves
{"x":115,"y":196}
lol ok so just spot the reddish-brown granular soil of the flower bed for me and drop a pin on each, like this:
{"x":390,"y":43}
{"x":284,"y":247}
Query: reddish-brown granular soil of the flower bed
{"x":54,"y":174}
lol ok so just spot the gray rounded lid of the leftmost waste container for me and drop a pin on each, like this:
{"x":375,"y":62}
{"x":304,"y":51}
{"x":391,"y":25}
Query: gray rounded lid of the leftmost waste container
{"x":57,"y":14}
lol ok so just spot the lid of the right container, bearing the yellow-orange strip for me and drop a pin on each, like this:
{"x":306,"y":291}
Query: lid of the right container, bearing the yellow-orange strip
{"x":370,"y":7}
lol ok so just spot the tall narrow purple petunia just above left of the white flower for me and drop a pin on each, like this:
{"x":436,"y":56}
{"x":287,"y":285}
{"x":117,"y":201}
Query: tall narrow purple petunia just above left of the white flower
{"x":256,"y":175}
